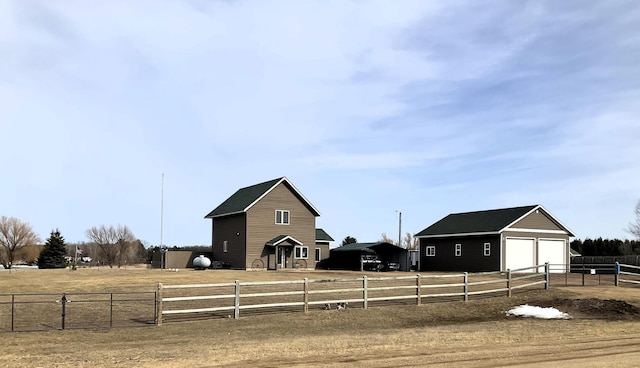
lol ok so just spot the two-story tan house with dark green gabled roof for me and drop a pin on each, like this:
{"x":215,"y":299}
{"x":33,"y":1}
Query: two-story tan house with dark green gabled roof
{"x":268,"y":225}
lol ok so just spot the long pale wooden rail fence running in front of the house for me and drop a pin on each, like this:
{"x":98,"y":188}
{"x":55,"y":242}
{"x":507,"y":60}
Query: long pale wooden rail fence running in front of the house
{"x":227,"y":297}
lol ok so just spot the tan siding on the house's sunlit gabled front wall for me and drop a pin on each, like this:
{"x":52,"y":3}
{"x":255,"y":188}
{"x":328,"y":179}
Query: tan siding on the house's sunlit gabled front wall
{"x":261,"y":226}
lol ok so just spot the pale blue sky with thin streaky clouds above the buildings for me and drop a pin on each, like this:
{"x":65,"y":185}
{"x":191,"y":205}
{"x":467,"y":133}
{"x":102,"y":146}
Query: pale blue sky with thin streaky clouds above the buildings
{"x":370,"y":108}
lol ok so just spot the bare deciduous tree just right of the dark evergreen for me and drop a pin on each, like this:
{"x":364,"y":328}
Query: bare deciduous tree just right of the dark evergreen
{"x":113,"y":242}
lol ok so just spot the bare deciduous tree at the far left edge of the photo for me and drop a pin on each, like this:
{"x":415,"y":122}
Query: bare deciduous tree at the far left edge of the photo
{"x":14,"y":235}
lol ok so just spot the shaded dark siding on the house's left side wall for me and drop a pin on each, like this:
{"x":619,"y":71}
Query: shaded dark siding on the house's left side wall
{"x":232,"y":229}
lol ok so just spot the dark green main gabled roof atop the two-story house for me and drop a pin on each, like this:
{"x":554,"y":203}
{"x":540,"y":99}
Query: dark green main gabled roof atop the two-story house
{"x":243,"y":199}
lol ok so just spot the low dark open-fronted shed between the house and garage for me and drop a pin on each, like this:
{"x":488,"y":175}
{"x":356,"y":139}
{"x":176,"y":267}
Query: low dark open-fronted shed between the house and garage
{"x":377,"y":256}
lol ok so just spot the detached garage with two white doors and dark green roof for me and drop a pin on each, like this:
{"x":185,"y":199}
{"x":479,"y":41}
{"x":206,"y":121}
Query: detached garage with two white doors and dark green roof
{"x":495,"y":240}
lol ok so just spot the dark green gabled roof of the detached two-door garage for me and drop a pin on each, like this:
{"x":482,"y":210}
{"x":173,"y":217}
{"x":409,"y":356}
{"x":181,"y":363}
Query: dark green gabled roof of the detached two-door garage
{"x":483,"y":222}
